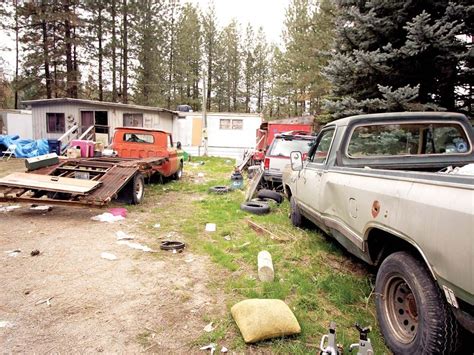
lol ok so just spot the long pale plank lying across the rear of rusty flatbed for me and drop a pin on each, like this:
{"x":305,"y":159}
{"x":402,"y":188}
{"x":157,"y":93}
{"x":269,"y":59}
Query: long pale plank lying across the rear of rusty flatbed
{"x":49,"y":183}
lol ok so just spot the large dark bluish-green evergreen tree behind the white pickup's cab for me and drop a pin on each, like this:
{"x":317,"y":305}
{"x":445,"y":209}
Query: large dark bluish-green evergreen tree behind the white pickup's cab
{"x":394,"y":55}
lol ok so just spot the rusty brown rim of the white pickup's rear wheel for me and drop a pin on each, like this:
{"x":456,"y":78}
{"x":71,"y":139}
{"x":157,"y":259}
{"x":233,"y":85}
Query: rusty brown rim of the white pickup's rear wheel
{"x":401,"y":310}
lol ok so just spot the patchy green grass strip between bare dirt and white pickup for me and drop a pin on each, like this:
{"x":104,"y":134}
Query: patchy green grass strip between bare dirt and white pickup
{"x":313,"y":275}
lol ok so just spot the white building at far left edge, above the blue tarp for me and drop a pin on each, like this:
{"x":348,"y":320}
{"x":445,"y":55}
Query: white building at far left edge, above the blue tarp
{"x":16,"y":122}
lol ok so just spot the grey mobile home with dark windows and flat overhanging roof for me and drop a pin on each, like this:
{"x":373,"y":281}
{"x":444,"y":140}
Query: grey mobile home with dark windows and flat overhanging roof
{"x":53,"y":117}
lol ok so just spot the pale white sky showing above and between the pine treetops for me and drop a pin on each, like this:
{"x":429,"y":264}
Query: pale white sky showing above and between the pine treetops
{"x":268,"y":14}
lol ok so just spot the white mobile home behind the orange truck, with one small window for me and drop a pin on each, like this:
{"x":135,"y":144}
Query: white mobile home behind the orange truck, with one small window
{"x":229,"y":134}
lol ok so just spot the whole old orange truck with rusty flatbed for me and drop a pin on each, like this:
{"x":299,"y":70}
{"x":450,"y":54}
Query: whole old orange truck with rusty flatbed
{"x":142,"y":153}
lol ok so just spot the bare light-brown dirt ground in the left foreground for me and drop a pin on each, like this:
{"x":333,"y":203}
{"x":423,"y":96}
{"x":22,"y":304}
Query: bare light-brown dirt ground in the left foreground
{"x":152,"y":302}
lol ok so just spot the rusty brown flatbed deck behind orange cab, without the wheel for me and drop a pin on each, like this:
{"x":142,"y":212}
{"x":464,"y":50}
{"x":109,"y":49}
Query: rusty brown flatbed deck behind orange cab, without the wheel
{"x":112,"y":175}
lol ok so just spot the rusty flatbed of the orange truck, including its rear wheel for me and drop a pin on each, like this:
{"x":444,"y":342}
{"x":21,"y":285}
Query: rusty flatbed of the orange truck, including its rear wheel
{"x":92,"y":181}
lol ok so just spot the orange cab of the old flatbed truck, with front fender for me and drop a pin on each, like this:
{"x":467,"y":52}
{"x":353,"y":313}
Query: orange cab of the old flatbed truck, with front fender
{"x":142,"y":143}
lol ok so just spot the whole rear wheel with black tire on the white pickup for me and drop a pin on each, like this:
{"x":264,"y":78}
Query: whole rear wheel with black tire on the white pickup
{"x":413,"y":316}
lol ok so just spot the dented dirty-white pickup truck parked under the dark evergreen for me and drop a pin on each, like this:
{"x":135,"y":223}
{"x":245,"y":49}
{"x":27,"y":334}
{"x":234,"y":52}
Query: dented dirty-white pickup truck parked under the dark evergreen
{"x":375,"y":183}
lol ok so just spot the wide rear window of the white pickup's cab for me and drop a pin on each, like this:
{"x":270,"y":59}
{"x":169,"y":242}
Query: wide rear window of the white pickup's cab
{"x":407,"y":139}
